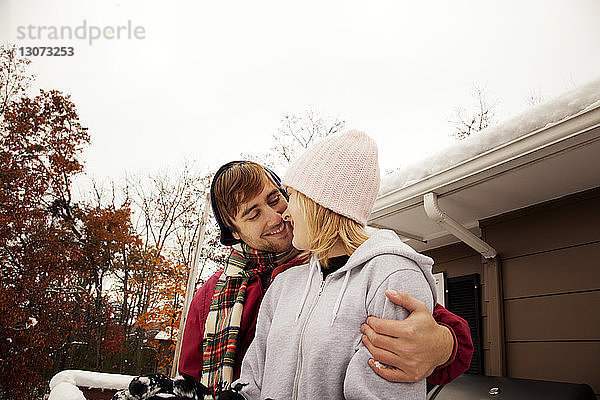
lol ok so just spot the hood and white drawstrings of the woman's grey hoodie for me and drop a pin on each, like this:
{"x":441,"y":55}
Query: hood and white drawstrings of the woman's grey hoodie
{"x":379,"y":243}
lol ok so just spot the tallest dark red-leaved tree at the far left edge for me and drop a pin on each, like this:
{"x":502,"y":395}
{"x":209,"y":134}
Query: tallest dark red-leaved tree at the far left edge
{"x":41,"y":297}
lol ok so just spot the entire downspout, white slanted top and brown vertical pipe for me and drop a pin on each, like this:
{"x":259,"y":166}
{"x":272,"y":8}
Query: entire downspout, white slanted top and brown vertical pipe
{"x":492,"y":277}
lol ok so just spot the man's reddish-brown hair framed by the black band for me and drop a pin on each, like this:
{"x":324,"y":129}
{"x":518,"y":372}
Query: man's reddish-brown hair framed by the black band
{"x":237,"y":184}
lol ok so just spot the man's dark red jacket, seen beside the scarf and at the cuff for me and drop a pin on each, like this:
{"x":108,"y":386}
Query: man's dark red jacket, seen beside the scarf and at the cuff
{"x":190,"y":359}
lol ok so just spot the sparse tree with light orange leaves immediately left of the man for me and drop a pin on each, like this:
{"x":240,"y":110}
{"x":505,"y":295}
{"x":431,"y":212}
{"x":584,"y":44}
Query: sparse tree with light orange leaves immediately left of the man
{"x":170,"y":205}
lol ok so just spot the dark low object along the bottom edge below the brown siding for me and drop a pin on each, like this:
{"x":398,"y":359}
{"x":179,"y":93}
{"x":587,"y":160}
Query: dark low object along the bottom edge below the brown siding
{"x":480,"y":387}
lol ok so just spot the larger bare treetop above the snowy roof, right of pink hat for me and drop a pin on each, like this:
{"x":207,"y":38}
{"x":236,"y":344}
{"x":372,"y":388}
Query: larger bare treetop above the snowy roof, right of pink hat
{"x":476,"y":119}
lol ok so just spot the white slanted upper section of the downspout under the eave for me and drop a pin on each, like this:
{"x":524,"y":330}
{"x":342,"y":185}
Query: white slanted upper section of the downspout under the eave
{"x":434,"y":213}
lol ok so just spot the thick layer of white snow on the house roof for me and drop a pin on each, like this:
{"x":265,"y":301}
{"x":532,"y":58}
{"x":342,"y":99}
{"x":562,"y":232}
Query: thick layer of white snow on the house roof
{"x":578,"y":100}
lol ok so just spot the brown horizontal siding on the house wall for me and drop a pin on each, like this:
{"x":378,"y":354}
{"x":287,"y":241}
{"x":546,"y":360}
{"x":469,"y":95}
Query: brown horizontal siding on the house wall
{"x":549,"y":255}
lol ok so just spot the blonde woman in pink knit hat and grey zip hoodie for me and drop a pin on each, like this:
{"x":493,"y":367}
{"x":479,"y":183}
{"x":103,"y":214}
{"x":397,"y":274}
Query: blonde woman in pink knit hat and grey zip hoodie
{"x":308,"y":340}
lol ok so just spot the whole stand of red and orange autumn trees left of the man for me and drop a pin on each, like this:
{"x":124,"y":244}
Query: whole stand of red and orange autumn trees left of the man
{"x":84,"y":285}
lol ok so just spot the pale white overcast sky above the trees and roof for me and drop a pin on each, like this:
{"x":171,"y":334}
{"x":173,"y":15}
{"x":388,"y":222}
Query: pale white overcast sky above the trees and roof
{"x":212,"y":79}
